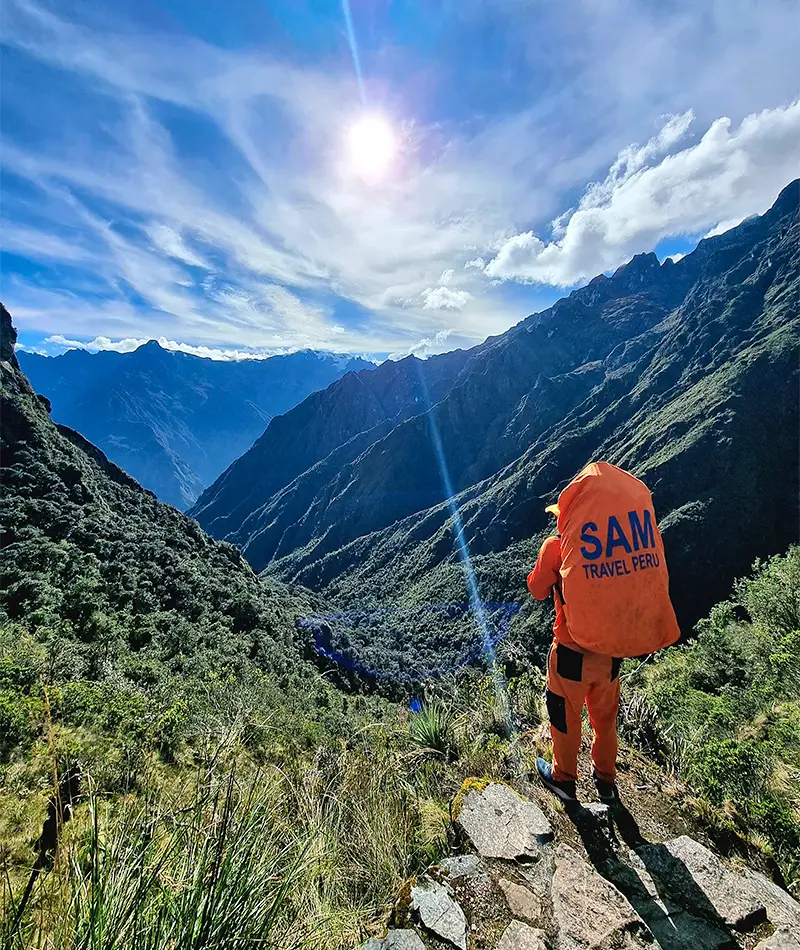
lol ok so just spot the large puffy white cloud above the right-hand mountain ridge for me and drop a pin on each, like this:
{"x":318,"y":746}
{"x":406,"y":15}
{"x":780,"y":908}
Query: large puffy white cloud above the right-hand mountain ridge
{"x":729,"y":174}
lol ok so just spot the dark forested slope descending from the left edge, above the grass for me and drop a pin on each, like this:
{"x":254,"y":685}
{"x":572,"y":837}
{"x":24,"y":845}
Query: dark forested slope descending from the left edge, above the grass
{"x":111,"y":578}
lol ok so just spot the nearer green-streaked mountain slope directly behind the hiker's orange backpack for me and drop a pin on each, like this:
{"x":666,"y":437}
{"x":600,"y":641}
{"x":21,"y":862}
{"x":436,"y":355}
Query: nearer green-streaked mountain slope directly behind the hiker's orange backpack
{"x":704,"y":406}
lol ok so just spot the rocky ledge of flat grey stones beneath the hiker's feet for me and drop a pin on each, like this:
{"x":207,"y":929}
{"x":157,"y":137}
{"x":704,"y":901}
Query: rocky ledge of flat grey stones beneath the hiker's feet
{"x":533,"y":875}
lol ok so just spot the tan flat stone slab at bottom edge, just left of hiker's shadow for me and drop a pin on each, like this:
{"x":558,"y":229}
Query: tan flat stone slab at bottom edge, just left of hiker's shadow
{"x":589,"y":911}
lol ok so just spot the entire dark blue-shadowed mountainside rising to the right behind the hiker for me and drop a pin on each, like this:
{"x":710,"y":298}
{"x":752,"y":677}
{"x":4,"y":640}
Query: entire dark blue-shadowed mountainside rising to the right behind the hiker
{"x":684,"y":373}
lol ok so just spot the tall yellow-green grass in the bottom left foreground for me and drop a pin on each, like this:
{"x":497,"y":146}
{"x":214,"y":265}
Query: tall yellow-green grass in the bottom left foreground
{"x":311,"y":859}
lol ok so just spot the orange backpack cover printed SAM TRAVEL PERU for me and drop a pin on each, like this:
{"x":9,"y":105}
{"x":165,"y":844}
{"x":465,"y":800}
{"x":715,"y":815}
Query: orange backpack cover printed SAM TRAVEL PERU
{"x":614,"y":581}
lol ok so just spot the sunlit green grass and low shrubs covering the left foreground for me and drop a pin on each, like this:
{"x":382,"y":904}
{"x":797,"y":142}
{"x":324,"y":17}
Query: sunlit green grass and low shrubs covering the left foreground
{"x":206,"y":823}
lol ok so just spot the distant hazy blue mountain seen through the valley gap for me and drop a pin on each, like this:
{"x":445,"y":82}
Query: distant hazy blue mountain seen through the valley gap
{"x":172,"y":420}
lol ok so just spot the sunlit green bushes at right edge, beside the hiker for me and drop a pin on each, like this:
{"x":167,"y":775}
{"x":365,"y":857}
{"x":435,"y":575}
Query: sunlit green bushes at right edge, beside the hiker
{"x":724,"y":711}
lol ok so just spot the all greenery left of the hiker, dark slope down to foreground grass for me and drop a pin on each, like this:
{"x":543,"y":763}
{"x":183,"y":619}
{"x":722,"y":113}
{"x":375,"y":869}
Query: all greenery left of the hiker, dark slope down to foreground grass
{"x":228,"y":793}
